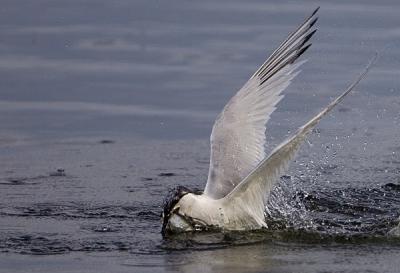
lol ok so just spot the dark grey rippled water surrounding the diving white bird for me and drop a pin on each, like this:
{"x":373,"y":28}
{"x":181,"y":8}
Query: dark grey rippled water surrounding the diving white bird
{"x":105,"y":105}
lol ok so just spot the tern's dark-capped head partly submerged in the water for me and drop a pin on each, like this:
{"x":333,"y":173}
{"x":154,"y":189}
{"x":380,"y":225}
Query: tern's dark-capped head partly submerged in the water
{"x":173,"y":220}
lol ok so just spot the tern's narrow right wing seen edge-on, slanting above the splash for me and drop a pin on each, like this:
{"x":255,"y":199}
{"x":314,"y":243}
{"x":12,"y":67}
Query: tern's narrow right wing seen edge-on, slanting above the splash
{"x":253,"y":190}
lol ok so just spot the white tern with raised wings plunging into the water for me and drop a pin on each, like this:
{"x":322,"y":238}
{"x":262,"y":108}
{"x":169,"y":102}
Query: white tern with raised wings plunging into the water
{"x":241,"y":176}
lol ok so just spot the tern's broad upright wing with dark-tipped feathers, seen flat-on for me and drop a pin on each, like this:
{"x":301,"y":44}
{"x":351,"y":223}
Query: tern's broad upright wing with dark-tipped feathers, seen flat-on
{"x":238,"y":135}
